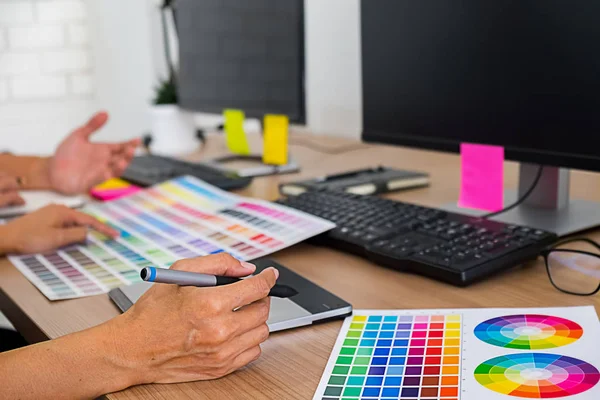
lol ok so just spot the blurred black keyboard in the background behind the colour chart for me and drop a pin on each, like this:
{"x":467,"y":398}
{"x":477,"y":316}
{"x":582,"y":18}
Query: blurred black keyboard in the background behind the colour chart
{"x":150,"y":169}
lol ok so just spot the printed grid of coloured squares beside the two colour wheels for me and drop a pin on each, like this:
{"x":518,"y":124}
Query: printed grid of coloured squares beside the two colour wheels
{"x":395,"y":357}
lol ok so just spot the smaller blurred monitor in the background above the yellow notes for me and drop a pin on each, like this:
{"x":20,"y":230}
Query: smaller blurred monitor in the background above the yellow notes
{"x":246,"y":55}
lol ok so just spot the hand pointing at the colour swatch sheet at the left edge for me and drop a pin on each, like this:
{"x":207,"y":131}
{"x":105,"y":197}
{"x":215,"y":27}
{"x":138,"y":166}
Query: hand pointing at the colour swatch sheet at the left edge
{"x":48,"y":228}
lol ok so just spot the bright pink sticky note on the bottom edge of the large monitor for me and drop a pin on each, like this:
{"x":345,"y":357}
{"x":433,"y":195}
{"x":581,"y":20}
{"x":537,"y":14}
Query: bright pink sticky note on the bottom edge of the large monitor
{"x":482,"y":177}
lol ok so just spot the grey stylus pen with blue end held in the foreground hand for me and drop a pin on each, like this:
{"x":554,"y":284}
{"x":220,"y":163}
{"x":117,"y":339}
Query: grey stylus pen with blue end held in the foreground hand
{"x":185,"y":278}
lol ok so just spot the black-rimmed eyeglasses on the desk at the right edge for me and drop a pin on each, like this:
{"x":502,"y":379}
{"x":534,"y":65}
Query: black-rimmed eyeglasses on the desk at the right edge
{"x":573,"y":266}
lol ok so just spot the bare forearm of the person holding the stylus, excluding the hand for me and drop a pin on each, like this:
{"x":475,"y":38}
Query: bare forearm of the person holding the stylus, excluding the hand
{"x":80,"y":365}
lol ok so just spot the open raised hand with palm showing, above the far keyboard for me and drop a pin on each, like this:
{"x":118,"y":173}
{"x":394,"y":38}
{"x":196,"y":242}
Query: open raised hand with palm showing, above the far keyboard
{"x":78,"y":165}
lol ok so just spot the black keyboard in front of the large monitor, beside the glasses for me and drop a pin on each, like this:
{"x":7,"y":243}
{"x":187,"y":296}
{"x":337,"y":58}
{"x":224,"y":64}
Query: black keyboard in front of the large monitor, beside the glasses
{"x":455,"y":248}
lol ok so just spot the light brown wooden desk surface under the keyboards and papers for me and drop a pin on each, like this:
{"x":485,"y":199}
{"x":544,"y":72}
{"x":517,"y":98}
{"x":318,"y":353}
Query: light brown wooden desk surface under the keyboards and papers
{"x":293,"y":361}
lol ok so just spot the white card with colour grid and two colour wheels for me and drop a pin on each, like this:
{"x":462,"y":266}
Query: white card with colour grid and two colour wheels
{"x":468,"y":354}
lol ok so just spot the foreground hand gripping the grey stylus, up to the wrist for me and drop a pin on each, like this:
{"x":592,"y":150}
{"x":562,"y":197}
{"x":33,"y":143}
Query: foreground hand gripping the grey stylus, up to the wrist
{"x":180,"y":334}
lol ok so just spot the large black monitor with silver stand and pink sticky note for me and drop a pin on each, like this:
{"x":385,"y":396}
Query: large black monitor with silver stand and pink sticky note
{"x":523,"y":74}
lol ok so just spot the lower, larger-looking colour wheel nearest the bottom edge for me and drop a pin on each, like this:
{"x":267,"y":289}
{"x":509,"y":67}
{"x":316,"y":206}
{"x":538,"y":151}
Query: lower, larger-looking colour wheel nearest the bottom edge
{"x":537,"y":375}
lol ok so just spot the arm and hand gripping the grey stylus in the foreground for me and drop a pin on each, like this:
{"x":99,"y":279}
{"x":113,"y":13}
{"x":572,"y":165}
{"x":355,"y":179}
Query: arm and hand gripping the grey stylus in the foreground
{"x":171,"y":334}
